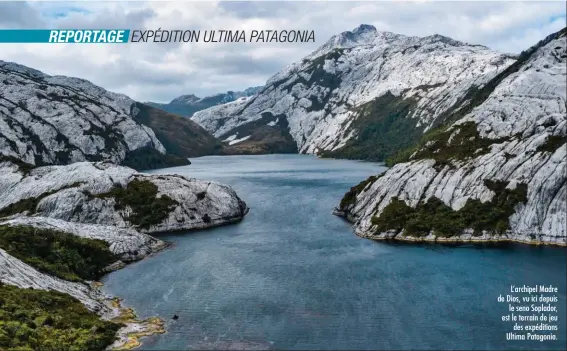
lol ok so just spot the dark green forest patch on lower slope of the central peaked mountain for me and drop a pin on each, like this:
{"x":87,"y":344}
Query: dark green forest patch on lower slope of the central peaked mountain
{"x":382,"y":129}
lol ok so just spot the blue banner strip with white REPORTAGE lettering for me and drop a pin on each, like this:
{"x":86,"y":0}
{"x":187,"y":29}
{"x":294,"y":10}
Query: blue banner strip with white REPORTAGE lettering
{"x":85,"y":36}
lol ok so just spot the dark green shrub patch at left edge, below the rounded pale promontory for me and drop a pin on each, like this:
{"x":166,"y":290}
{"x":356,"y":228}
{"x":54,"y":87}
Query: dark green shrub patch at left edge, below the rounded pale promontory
{"x":60,"y":254}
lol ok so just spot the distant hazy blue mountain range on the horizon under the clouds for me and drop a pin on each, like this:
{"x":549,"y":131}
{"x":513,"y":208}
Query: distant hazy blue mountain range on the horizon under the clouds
{"x":187,"y":105}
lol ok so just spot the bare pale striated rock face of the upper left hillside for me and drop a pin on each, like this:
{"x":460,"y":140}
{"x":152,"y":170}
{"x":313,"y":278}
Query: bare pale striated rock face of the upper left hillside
{"x":60,"y":120}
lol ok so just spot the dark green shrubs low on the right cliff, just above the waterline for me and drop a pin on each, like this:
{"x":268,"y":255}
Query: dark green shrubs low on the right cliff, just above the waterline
{"x":434,"y":215}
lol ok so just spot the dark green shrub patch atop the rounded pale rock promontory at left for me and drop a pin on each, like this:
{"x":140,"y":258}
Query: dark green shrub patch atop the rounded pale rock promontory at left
{"x":141,"y":196}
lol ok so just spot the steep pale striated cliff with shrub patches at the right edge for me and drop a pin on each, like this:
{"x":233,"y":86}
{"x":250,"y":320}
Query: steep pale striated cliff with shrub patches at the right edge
{"x":497,"y":173}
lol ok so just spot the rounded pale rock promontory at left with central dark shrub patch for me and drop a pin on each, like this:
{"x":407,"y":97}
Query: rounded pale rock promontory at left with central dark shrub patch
{"x":107,"y":194}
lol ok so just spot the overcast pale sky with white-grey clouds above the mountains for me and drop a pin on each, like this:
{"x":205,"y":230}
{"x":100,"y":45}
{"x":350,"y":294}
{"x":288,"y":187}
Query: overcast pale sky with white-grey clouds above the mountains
{"x":159,"y":72}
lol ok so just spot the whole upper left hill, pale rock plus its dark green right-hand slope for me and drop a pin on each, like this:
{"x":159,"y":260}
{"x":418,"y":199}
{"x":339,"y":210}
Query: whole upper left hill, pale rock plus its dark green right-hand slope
{"x":48,"y":120}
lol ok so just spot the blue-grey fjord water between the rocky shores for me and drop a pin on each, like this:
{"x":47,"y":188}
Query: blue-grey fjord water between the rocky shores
{"x":293,"y":276}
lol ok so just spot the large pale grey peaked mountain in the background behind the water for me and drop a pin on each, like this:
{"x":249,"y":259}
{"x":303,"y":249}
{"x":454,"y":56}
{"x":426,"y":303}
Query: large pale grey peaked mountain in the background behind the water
{"x":364,"y":94}
